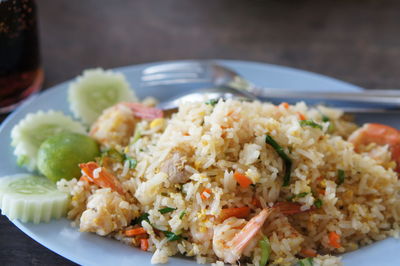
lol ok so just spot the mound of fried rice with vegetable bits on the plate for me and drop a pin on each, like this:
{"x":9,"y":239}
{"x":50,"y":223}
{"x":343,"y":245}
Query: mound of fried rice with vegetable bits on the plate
{"x":187,"y":163}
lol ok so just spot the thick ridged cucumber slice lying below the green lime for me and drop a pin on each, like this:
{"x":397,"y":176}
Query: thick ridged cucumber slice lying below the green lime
{"x":31,"y":199}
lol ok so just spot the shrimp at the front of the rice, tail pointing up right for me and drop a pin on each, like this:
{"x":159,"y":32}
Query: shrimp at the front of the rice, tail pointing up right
{"x":229,"y":242}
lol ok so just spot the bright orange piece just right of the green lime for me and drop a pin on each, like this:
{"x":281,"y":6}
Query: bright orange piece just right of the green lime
{"x":104,"y":179}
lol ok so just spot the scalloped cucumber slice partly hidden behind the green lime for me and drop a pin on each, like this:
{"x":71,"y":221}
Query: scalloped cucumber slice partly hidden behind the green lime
{"x":31,"y":131}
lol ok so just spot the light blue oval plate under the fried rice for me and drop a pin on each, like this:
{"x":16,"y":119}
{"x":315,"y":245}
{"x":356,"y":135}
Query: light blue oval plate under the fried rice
{"x":90,"y":249}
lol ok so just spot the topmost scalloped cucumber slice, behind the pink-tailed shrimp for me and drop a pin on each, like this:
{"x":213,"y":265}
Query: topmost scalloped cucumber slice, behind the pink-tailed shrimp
{"x":96,"y":90}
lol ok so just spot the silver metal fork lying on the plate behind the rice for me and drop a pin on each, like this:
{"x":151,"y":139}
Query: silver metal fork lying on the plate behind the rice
{"x":213,"y":74}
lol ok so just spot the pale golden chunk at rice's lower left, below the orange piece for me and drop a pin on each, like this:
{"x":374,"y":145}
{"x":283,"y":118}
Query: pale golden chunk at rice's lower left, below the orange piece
{"x":106,"y":212}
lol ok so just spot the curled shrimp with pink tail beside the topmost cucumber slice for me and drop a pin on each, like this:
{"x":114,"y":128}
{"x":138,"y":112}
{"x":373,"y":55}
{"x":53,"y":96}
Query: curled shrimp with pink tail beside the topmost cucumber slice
{"x":117,"y":124}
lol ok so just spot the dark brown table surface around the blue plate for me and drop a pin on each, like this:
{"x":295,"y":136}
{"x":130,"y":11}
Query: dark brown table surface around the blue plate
{"x":356,"y":41}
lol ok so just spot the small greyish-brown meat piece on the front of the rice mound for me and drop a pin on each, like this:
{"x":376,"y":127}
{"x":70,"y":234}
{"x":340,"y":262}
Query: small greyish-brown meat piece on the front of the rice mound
{"x":174,"y":167}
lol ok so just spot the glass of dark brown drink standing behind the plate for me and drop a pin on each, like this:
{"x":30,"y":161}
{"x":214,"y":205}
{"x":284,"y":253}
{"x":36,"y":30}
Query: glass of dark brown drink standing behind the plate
{"x":20,"y":70}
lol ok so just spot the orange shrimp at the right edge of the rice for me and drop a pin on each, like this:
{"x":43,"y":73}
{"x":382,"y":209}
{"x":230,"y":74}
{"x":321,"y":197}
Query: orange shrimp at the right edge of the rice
{"x":381,"y":135}
